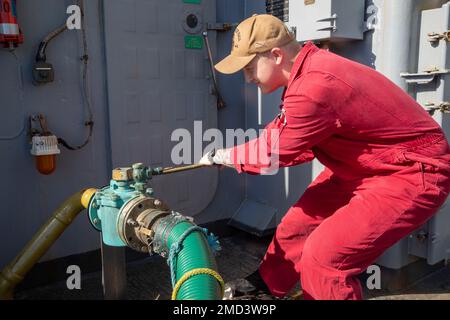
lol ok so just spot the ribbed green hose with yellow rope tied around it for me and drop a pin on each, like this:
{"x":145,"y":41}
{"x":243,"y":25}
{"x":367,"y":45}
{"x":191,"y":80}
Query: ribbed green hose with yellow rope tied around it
{"x":195,"y":254}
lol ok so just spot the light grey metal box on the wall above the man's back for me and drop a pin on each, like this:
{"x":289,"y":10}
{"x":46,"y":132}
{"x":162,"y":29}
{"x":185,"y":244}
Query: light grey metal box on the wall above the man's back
{"x":327,"y":19}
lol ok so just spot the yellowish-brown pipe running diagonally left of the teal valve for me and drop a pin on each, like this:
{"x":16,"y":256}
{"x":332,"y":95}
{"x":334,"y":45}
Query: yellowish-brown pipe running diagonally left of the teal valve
{"x":15,"y":272}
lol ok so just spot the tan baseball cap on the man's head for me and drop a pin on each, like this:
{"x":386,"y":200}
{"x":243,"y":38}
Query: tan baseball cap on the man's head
{"x":257,"y":34}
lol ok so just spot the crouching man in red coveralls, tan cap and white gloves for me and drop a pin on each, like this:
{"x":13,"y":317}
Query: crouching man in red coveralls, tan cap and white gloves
{"x":387,"y":161}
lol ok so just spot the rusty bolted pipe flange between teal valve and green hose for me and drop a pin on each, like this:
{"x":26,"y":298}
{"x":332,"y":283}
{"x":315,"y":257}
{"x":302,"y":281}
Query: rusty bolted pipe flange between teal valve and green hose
{"x":136,"y":218}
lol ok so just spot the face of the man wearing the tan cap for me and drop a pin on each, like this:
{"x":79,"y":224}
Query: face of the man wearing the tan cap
{"x":263,"y":71}
